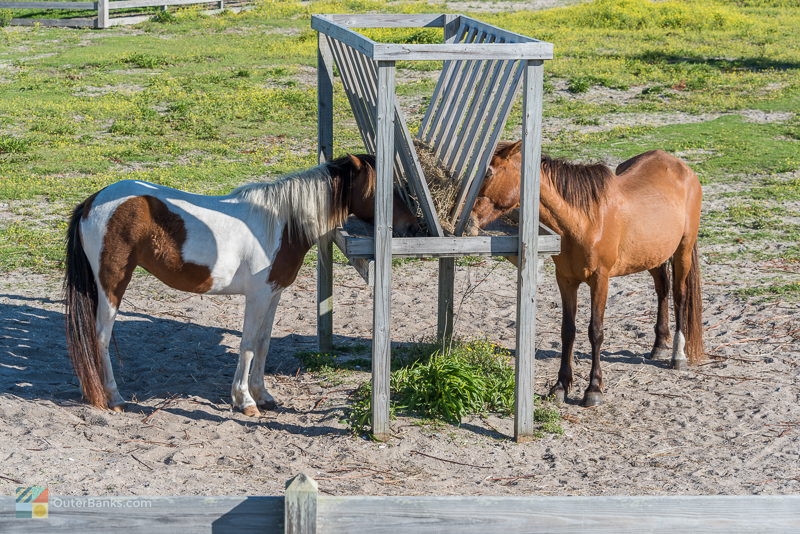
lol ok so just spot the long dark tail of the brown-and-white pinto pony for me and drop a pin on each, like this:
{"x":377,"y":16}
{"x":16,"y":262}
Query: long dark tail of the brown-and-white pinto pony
{"x":80,"y":297}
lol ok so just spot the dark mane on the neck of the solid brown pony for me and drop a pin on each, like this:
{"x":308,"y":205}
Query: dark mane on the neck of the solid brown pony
{"x":581,"y":185}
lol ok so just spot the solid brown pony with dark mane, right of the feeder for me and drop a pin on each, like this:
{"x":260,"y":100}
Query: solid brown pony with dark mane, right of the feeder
{"x":613,"y":224}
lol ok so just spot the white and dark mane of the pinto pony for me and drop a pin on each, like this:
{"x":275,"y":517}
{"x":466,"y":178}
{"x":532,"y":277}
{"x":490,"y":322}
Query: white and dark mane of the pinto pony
{"x":312,"y":202}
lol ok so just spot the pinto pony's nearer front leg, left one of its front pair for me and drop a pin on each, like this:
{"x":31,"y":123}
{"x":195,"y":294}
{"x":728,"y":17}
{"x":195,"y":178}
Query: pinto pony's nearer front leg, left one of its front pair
{"x":255,"y":309}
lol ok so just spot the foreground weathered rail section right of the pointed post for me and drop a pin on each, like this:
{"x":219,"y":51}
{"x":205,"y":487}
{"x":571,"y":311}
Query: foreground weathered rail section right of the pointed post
{"x":704,"y":514}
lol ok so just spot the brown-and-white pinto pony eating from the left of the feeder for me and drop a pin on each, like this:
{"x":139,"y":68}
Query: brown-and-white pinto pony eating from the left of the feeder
{"x":249,"y":242}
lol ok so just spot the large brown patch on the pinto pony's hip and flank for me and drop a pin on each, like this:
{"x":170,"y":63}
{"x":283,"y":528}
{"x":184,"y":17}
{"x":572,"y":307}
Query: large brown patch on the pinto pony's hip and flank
{"x":142,"y":231}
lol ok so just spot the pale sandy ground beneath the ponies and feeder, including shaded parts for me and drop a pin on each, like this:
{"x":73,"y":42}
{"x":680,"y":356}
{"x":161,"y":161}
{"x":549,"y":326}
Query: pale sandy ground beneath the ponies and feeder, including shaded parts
{"x":730,"y":426}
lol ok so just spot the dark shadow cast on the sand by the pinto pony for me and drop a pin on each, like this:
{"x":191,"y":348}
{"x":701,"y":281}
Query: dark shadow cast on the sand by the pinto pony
{"x":153,"y":358}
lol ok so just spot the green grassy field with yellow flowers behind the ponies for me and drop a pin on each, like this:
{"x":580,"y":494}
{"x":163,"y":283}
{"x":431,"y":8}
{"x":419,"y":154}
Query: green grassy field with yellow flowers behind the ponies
{"x":207,"y":103}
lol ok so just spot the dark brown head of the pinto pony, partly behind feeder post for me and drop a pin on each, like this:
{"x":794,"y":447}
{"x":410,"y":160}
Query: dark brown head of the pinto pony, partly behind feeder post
{"x":362,"y":198}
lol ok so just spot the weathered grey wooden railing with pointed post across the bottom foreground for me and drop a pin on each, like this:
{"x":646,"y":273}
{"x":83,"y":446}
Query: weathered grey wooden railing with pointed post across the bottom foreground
{"x":304,"y":511}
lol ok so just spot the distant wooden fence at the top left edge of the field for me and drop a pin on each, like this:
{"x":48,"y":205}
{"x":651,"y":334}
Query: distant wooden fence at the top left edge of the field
{"x":103,"y":9}
